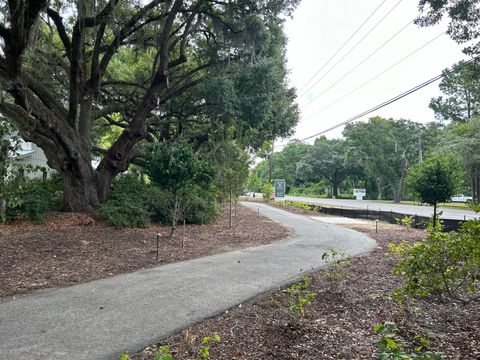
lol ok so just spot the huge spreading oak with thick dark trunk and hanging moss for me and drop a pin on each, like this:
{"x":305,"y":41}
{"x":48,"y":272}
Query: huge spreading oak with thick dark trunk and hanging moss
{"x":149,"y":69}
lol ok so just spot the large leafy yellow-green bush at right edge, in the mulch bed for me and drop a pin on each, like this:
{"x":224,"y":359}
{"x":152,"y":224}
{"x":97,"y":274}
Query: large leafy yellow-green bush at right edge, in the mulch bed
{"x":444,"y":264}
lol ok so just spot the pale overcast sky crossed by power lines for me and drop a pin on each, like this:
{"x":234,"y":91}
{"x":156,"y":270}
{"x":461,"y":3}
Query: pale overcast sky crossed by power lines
{"x":320,"y":27}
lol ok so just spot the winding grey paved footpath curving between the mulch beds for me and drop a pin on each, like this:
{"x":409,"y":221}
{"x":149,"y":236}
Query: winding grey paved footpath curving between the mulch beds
{"x":103,"y":318}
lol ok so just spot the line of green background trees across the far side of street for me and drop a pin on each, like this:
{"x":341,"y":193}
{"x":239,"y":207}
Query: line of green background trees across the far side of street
{"x":378,"y":154}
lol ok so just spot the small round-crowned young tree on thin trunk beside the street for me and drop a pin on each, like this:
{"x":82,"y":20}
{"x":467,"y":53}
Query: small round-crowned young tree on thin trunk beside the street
{"x":435,"y":180}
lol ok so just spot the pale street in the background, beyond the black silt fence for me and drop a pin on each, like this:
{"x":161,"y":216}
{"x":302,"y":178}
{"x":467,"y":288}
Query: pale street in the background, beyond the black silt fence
{"x":427,"y":211}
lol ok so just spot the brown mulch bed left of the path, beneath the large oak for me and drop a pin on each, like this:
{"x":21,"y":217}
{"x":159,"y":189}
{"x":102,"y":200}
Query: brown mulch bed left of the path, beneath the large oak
{"x":74,"y":248}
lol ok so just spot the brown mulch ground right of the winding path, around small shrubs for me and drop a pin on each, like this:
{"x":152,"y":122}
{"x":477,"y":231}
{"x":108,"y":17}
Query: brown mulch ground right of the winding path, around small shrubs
{"x":338,"y":325}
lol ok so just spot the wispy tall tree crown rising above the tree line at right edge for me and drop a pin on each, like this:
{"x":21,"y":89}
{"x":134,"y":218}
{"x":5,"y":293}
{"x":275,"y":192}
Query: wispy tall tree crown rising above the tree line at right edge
{"x":462,"y":94}
